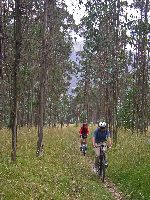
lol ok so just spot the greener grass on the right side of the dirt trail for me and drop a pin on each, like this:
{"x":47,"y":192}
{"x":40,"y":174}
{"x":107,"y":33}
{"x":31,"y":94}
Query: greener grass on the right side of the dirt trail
{"x":130,"y":166}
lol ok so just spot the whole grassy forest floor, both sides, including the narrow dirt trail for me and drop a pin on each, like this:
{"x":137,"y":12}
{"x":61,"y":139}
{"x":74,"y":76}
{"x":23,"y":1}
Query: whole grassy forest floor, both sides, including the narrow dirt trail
{"x":64,"y":174}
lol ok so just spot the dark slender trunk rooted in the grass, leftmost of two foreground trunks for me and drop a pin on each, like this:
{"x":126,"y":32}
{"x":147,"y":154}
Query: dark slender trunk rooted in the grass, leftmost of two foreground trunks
{"x":17,"y":36}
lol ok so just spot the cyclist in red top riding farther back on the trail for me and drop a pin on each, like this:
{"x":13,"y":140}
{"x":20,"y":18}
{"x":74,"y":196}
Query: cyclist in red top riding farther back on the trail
{"x":84,"y":131}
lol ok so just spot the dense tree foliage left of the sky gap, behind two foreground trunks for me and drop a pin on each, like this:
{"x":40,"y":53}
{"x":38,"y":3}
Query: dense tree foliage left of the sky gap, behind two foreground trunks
{"x":59,"y":44}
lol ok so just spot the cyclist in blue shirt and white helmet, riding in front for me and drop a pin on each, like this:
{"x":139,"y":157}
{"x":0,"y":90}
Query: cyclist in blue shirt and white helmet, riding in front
{"x":101,"y":134}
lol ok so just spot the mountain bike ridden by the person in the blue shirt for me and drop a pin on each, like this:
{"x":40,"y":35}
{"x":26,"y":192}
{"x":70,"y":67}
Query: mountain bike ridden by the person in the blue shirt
{"x":101,"y":165}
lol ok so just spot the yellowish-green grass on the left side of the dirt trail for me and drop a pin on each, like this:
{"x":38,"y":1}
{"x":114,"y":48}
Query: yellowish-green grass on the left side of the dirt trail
{"x":61,"y":174}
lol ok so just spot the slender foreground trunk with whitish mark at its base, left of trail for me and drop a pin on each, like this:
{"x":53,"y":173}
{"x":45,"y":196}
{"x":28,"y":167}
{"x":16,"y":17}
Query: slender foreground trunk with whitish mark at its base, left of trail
{"x":42,"y":75}
